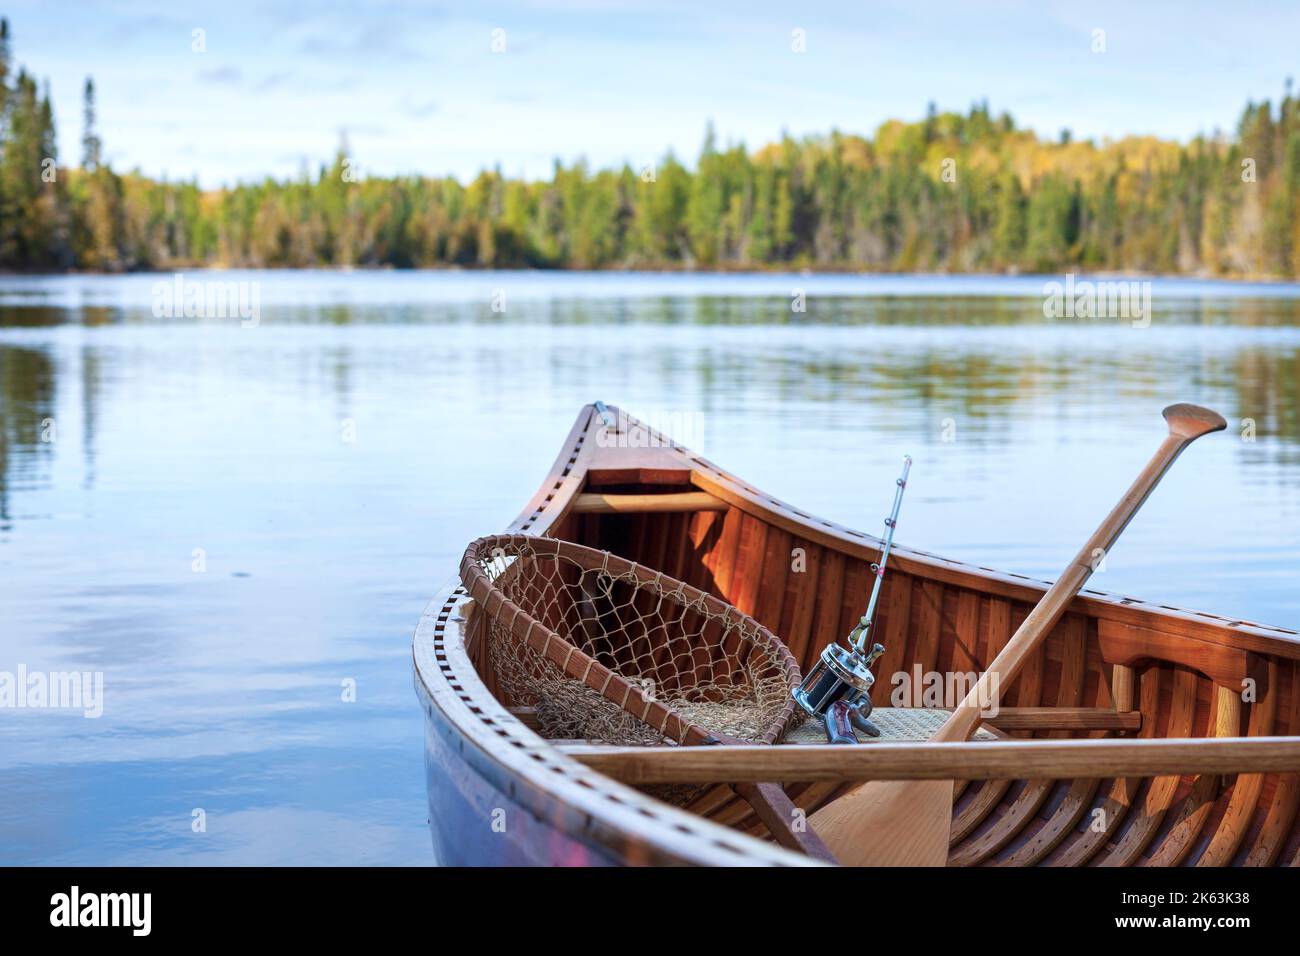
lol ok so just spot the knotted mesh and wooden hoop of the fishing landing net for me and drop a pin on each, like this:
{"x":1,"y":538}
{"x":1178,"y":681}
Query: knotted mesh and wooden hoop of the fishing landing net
{"x":605,"y":650}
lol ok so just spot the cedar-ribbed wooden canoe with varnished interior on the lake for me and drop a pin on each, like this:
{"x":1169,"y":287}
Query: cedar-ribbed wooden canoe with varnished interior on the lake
{"x":1139,"y":736}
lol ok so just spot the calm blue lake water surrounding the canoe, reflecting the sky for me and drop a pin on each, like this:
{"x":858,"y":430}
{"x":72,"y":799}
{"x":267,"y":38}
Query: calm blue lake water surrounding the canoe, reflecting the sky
{"x":235,"y":524}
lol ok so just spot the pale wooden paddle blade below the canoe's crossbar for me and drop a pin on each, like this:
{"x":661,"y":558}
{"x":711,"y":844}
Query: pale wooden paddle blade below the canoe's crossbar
{"x":890,"y":824}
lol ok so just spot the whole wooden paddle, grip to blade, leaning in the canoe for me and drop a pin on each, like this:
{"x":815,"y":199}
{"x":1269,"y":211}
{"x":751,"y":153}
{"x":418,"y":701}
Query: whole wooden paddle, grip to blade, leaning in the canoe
{"x":908,"y":823}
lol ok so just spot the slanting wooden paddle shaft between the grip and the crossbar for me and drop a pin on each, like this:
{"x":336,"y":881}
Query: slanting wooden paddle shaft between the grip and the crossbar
{"x":967,"y":717}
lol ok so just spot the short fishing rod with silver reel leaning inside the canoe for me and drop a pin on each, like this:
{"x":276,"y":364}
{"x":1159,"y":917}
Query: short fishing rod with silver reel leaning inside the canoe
{"x":838,"y":690}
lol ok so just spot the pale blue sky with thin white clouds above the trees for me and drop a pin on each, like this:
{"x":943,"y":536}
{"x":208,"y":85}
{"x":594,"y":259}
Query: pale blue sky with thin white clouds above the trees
{"x":419,"y":89}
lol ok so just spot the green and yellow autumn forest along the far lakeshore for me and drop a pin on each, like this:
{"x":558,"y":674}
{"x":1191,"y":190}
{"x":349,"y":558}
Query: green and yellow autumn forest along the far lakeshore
{"x":952,"y":193}
